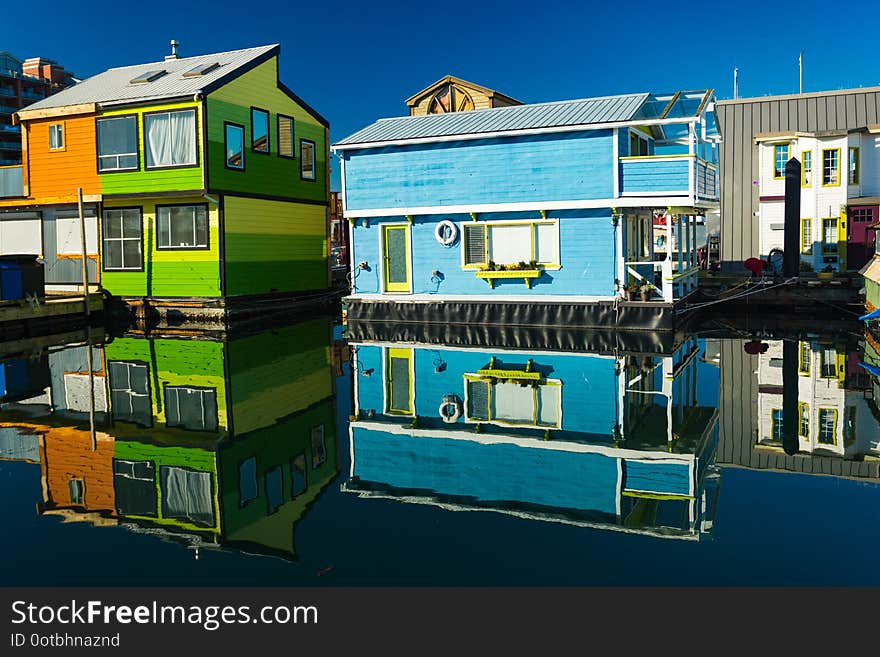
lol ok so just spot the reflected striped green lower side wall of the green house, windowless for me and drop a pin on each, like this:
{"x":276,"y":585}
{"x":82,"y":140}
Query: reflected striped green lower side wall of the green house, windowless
{"x":276,"y":374}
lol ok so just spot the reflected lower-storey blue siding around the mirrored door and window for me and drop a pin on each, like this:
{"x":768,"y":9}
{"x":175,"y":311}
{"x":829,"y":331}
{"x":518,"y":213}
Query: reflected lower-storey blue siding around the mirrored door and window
{"x":589,"y":386}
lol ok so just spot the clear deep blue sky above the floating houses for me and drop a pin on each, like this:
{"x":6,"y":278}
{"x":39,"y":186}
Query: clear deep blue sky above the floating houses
{"x":358,"y":61}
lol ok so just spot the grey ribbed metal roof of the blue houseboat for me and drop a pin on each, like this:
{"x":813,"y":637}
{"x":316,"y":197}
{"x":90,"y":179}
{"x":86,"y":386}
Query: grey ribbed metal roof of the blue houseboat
{"x":606,"y":109}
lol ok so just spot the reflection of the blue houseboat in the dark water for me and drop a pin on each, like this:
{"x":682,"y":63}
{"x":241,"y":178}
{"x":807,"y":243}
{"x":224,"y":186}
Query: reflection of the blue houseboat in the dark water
{"x":585,"y":438}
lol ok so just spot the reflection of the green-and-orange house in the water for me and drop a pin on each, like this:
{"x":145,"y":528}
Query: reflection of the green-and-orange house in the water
{"x":209,"y":442}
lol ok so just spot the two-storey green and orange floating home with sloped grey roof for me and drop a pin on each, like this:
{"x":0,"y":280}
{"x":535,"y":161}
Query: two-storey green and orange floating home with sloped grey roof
{"x":204,"y":181}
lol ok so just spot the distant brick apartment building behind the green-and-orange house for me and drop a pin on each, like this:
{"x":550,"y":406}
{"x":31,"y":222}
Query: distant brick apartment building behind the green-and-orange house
{"x":23,"y":83}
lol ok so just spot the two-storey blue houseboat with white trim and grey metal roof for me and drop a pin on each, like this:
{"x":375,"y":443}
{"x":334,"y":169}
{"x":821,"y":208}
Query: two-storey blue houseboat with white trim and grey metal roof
{"x":554,"y":203}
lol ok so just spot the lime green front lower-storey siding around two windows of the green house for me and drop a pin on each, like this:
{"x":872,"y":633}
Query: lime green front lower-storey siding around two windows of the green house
{"x":169,"y":272}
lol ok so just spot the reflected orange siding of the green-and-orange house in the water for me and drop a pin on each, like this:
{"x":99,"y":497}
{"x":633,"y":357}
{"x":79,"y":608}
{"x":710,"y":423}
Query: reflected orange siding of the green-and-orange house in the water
{"x":68,"y":455}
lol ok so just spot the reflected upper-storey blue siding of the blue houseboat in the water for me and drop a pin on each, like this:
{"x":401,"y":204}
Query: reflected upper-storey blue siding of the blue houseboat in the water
{"x":487,"y":473}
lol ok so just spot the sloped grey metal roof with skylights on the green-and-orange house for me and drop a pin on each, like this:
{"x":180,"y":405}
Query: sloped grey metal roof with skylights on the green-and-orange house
{"x":114,"y":86}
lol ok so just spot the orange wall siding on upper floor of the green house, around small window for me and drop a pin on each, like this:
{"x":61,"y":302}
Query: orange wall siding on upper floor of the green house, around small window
{"x":56,"y":175}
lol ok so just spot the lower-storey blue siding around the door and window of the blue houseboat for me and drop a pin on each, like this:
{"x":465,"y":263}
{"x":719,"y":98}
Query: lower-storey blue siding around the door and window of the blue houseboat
{"x":587,"y":255}
